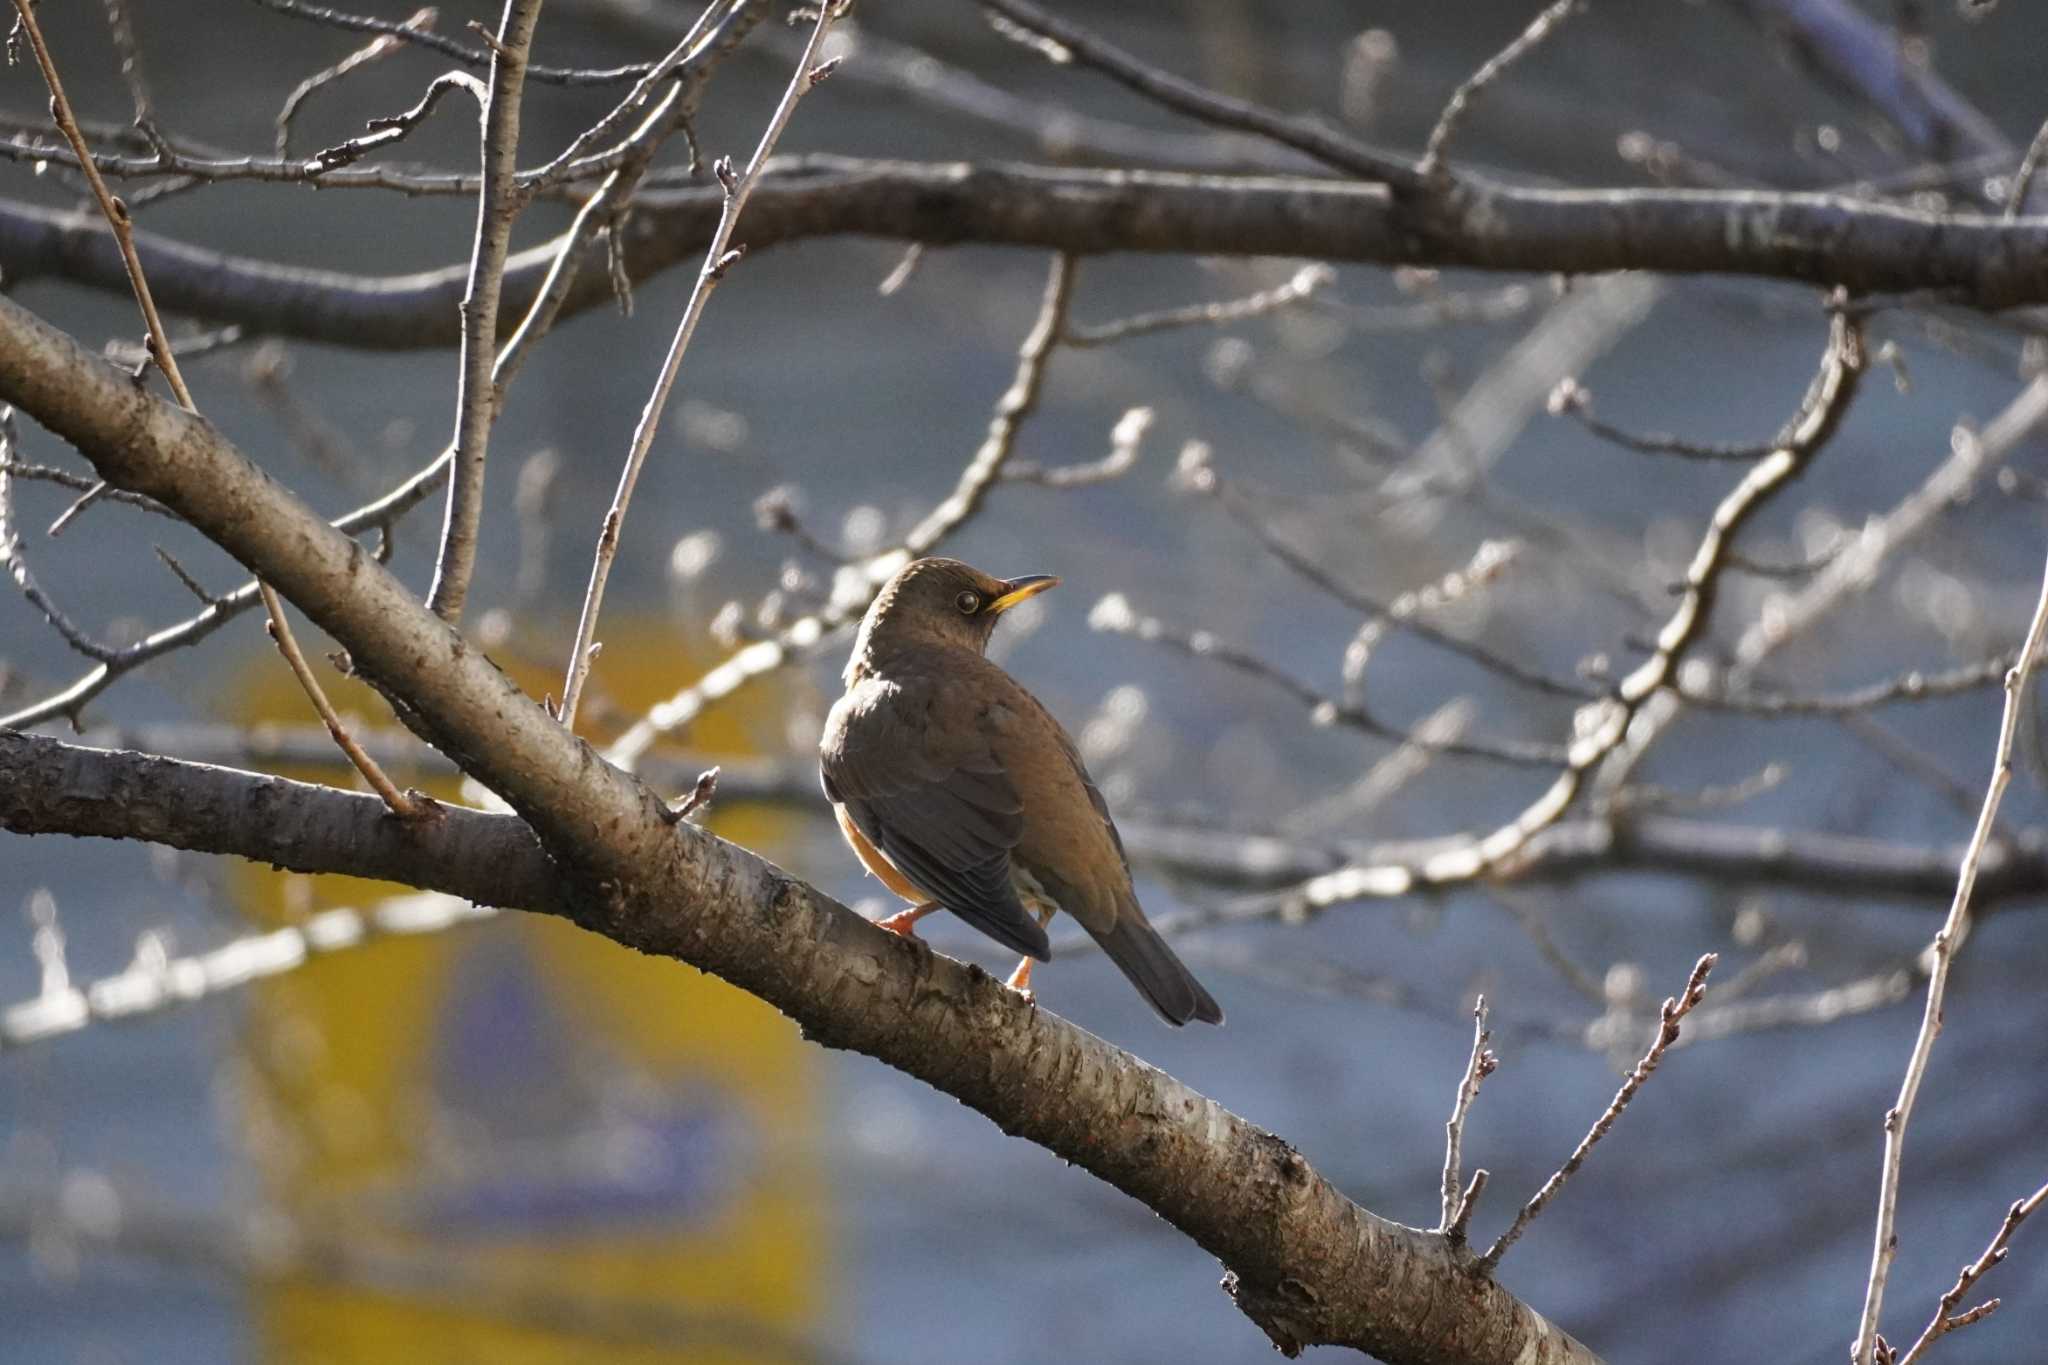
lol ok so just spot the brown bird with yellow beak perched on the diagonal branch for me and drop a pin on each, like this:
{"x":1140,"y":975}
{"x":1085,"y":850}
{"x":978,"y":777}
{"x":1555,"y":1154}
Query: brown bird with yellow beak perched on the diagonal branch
{"x":959,"y":791}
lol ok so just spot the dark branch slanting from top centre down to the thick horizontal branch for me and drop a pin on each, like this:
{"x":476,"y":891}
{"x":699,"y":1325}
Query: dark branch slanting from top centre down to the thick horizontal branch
{"x":1306,"y":136}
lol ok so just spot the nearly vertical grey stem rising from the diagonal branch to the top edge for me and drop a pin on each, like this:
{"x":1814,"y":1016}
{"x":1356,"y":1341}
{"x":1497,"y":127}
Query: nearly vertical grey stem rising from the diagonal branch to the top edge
{"x":476,"y":396}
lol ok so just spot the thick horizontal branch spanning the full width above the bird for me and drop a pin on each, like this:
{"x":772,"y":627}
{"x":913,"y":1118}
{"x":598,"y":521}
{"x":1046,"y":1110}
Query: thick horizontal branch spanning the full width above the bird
{"x":1791,"y":236}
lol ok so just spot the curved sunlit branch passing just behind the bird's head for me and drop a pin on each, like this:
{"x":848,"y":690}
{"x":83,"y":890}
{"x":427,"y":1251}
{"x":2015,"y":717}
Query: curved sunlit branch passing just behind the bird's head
{"x":855,"y":588}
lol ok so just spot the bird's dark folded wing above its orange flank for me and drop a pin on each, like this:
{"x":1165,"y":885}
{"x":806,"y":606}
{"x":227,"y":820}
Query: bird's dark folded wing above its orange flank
{"x":933,"y":797}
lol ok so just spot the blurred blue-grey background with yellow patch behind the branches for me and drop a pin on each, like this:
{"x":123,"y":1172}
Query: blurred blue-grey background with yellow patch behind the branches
{"x":509,"y":1141}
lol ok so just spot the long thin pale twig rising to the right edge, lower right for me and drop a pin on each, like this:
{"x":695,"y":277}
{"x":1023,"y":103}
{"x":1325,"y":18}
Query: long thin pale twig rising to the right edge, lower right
{"x":1943,"y":955}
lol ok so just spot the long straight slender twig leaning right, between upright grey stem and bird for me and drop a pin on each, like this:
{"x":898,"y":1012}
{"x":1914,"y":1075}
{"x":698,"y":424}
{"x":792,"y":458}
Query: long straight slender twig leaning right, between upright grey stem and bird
{"x":720,"y":257}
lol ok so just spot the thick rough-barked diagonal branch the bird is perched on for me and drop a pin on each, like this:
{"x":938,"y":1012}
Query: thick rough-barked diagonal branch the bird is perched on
{"x":1304,"y":1262}
